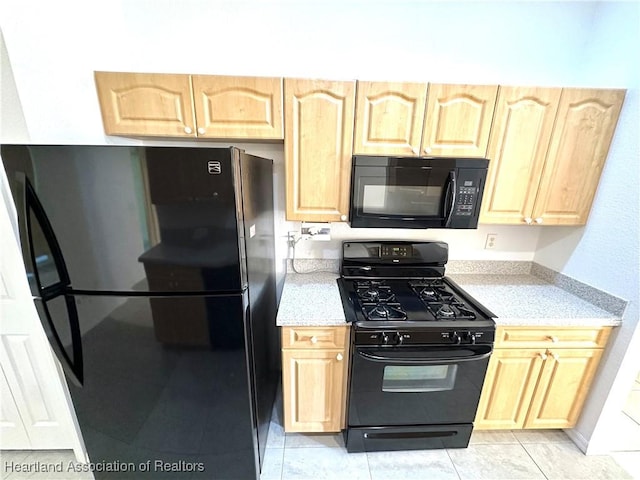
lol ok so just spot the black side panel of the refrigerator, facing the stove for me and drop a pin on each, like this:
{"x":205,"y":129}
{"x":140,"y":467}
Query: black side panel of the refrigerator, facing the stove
{"x":258,"y":238}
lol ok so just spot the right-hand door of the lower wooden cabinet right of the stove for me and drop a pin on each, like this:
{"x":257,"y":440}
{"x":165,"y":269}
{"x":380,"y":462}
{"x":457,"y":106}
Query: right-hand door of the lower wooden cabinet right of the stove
{"x":562,"y":388}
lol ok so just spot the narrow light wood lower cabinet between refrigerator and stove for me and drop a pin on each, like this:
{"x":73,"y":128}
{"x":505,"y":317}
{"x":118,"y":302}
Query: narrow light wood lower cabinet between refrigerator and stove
{"x":314,"y":378}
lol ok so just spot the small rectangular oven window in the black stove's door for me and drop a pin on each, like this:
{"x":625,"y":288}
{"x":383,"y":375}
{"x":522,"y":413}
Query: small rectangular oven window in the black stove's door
{"x":419,"y":378}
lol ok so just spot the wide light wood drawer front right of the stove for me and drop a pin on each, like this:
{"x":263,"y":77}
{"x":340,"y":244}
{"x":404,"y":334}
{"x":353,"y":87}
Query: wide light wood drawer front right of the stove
{"x":556,"y":337}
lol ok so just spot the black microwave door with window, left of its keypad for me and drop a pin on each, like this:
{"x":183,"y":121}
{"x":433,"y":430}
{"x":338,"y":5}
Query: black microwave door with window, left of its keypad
{"x":401,"y":193}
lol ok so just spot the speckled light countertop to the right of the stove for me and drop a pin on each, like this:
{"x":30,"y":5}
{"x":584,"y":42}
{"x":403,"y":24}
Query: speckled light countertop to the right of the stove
{"x":528,"y":300}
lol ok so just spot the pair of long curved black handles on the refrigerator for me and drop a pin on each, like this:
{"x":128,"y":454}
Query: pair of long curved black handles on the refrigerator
{"x":49,"y":281}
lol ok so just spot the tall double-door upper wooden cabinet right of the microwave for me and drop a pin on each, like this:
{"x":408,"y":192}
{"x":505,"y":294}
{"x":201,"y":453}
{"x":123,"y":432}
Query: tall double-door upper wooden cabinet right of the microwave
{"x":547,"y":150}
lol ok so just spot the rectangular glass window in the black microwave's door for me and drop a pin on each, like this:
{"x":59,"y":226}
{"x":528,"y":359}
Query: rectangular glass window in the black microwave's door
{"x":408,"y":200}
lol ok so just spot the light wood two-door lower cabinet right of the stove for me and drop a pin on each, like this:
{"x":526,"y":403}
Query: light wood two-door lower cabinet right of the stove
{"x":540,"y":387}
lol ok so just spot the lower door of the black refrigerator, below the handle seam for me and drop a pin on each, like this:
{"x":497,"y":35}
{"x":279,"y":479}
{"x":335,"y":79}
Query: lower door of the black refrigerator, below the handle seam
{"x":167,"y":389}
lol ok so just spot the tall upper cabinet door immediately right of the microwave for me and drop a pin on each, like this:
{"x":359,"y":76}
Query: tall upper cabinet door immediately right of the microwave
{"x":520,"y":135}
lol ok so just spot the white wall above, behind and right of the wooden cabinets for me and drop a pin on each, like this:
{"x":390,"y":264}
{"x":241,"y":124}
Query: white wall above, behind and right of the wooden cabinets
{"x":55,"y":46}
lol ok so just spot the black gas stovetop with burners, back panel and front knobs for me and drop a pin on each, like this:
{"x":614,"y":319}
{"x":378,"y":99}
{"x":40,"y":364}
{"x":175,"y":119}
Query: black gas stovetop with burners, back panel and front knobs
{"x":396,"y":293}
